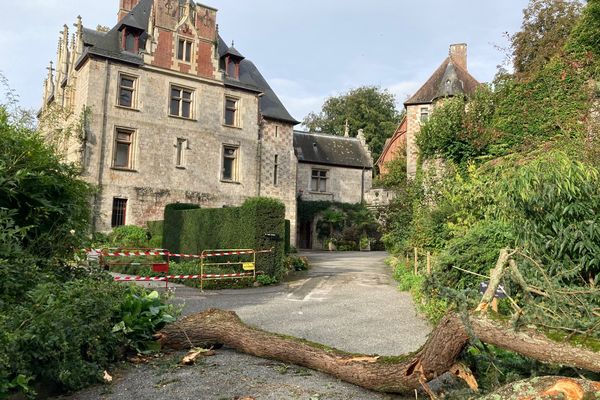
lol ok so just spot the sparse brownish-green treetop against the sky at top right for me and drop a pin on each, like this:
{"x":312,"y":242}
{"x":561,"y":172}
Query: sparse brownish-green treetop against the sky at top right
{"x":546,"y":26}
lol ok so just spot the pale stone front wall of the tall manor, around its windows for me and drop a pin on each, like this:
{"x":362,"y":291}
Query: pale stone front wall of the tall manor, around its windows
{"x":154,"y":179}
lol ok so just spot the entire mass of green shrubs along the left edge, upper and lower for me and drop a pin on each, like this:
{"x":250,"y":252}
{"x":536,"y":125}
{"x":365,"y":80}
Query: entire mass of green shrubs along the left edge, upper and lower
{"x":56,"y":316}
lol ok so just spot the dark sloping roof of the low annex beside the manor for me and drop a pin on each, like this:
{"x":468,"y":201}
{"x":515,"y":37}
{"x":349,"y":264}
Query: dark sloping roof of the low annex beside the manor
{"x":318,"y":148}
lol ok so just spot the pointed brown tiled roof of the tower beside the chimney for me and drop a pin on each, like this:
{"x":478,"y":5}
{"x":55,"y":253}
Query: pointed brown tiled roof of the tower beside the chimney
{"x":448,"y":80}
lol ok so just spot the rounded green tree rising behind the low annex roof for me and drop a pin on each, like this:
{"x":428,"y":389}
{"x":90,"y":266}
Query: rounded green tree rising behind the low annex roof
{"x":369,"y":108}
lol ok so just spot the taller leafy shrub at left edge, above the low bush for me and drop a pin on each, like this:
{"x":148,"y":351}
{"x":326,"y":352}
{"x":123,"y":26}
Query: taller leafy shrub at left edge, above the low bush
{"x":45,"y":196}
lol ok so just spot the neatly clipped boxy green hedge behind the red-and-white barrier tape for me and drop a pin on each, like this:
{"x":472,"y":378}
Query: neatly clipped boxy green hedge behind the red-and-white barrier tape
{"x":190,"y":231}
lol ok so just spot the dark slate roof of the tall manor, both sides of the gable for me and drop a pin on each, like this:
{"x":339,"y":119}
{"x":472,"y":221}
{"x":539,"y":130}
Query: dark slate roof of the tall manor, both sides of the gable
{"x":108,"y":45}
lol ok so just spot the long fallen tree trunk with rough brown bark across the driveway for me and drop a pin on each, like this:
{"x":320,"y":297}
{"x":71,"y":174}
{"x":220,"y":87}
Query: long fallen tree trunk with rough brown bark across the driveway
{"x":401,"y":374}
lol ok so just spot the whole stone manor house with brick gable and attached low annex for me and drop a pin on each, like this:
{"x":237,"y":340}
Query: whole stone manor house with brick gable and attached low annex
{"x":159,"y":109}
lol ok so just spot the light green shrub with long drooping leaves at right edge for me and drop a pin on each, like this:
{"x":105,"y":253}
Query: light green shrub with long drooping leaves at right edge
{"x":558,"y":199}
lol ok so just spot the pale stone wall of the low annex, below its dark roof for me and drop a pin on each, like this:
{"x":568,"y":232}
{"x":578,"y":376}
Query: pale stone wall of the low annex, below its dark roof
{"x":343,"y":184}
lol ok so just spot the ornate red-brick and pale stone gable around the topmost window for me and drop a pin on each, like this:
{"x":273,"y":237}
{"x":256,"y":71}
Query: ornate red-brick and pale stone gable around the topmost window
{"x":184,"y":37}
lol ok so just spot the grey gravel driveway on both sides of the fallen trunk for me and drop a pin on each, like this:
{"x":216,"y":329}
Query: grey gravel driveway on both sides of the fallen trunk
{"x":346,"y":300}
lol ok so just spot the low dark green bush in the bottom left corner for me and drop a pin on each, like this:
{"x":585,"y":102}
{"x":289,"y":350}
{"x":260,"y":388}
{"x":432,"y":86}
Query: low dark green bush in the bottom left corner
{"x":61,"y":334}
